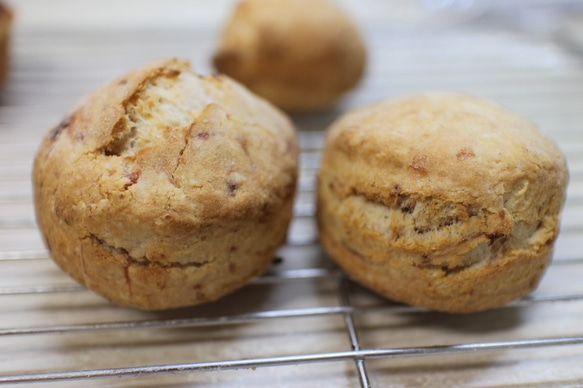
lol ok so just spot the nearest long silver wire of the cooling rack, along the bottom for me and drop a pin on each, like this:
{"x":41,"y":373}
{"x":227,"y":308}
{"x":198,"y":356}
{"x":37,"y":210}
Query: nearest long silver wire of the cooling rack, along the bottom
{"x":293,"y":360}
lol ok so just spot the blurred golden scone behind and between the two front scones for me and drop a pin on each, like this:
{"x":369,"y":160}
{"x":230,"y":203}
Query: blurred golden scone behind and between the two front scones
{"x":302,"y":55}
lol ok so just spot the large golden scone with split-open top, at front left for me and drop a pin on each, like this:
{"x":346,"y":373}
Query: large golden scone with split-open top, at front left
{"x":166,"y":188}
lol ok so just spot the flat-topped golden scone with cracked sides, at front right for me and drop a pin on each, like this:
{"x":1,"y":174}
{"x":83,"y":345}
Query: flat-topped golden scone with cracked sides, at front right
{"x":441,"y":200}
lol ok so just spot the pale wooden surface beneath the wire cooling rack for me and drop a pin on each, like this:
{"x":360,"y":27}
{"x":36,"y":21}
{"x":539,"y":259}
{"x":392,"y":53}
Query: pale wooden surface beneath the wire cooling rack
{"x":63,"y":50}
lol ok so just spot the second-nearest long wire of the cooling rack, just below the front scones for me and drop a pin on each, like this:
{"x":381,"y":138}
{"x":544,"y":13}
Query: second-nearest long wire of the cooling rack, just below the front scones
{"x":258,"y":316}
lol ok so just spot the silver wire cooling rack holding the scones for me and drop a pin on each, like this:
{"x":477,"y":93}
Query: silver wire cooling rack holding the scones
{"x":303,"y":323}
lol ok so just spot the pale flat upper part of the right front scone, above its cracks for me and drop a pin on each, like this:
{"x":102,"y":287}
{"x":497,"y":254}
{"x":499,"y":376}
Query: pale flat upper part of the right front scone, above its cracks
{"x":447,"y":144}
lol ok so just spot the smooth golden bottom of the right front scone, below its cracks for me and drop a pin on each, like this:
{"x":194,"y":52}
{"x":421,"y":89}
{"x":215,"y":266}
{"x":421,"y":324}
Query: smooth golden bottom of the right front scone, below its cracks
{"x":435,"y":288}
